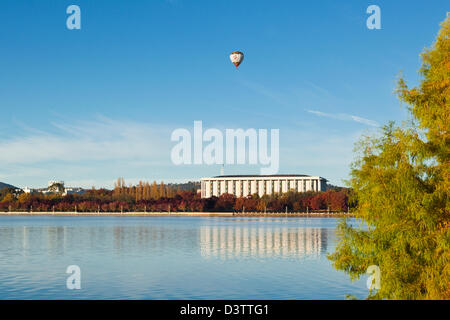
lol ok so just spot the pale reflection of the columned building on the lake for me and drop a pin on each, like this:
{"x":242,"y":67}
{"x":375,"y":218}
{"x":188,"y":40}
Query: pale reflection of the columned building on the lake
{"x":229,"y":242}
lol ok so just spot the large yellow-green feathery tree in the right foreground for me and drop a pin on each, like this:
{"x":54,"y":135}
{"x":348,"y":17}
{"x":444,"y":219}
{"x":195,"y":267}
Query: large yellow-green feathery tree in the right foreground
{"x":400,"y":180}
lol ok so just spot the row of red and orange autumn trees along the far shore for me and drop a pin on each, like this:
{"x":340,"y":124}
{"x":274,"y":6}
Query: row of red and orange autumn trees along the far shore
{"x":146,"y":197}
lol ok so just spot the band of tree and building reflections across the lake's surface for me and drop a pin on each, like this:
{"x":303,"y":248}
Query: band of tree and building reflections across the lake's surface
{"x":213,"y":241}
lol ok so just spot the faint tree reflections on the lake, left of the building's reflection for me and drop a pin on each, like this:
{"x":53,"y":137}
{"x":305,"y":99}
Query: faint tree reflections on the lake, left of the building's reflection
{"x":57,"y":240}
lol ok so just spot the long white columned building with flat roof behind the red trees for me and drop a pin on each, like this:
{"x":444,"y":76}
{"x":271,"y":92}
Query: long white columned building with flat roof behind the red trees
{"x":245,"y":185}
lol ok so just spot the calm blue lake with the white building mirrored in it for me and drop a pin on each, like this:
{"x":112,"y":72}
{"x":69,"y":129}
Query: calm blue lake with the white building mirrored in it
{"x":171,"y":258}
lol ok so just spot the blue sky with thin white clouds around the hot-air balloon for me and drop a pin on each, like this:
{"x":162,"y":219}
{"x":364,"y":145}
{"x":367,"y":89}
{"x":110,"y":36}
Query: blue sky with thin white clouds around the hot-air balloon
{"x":87,"y":106}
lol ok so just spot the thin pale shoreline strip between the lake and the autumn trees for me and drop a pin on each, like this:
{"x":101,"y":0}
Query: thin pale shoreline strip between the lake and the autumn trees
{"x":191,"y":214}
